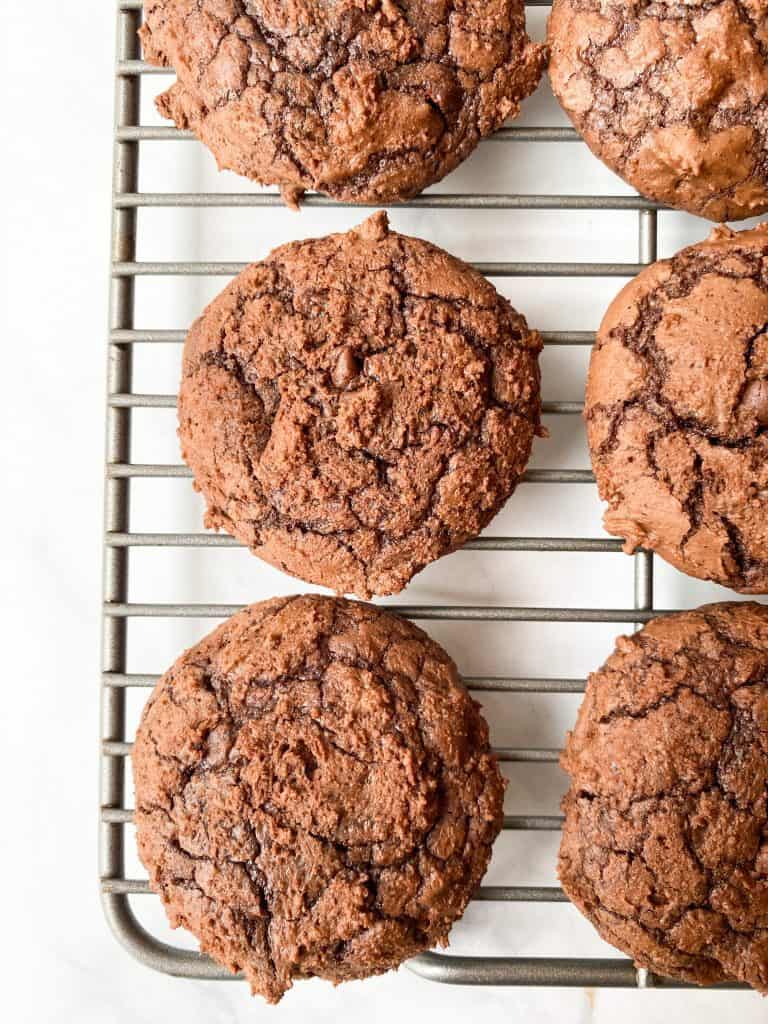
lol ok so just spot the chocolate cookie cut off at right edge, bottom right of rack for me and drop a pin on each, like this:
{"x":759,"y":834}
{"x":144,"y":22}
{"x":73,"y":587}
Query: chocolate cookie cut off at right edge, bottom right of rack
{"x":665,"y":845}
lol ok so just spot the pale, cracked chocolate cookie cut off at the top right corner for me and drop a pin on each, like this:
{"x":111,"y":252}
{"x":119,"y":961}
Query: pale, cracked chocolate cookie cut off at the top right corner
{"x":672,"y":97}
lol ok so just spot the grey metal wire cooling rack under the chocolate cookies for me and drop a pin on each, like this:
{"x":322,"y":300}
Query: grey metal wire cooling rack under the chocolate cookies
{"x":116,"y":888}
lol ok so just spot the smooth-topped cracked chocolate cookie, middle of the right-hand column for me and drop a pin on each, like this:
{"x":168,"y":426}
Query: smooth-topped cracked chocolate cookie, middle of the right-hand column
{"x":677,"y":411}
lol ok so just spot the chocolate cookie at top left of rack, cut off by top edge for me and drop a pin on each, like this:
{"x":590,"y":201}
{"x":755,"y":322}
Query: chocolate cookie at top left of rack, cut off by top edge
{"x":368,"y":101}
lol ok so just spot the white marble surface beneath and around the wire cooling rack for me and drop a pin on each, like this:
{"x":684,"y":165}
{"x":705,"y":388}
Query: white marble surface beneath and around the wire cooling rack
{"x":60,"y":962}
